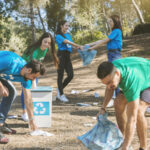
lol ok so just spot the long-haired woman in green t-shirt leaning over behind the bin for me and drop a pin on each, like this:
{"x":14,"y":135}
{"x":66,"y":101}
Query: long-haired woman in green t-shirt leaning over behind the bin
{"x":38,"y":51}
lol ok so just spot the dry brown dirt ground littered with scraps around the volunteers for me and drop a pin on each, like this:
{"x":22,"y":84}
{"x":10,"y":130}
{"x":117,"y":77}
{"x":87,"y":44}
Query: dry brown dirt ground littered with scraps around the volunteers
{"x":68,"y":119}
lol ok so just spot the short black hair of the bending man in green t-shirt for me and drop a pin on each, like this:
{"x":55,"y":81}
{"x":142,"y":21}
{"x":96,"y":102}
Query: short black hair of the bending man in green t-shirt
{"x":104,"y":69}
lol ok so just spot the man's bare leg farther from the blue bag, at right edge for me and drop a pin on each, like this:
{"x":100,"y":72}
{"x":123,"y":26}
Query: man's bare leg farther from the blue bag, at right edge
{"x":142,"y":124}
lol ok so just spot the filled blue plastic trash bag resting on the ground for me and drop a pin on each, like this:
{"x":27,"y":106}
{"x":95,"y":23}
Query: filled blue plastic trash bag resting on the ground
{"x":104,"y":136}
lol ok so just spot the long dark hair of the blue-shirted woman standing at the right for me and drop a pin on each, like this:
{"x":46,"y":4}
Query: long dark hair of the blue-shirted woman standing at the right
{"x":117,"y":23}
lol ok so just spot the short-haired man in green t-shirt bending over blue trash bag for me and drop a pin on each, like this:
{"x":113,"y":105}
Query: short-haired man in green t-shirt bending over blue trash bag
{"x":132,"y":75}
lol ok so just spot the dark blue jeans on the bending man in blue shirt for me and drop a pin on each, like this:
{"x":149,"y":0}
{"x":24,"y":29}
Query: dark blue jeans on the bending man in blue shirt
{"x":7,"y":101}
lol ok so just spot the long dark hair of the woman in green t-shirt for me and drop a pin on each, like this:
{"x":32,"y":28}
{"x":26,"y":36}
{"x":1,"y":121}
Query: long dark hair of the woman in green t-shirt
{"x":30,"y":49}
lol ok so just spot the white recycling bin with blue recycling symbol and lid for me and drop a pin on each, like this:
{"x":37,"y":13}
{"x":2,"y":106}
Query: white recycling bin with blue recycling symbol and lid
{"x":42,"y":105}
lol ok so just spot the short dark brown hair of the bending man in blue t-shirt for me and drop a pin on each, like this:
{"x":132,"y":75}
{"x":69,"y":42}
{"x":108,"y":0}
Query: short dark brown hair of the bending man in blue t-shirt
{"x":36,"y":67}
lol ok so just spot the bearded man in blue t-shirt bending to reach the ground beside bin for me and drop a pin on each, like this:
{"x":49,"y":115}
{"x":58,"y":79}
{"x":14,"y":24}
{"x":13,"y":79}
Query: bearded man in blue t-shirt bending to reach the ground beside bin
{"x":14,"y":68}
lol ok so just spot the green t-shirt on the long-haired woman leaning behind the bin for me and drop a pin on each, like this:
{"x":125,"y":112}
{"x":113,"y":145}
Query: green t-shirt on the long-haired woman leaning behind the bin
{"x":38,"y":54}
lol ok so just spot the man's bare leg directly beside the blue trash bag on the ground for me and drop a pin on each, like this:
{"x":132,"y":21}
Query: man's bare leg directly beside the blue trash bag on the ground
{"x":120,"y":110}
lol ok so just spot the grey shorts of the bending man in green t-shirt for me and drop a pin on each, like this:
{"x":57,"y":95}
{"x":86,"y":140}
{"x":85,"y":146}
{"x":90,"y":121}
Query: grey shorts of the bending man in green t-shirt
{"x":145,"y":95}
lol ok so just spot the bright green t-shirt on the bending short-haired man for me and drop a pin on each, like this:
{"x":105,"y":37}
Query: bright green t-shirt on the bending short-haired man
{"x":135,"y":76}
